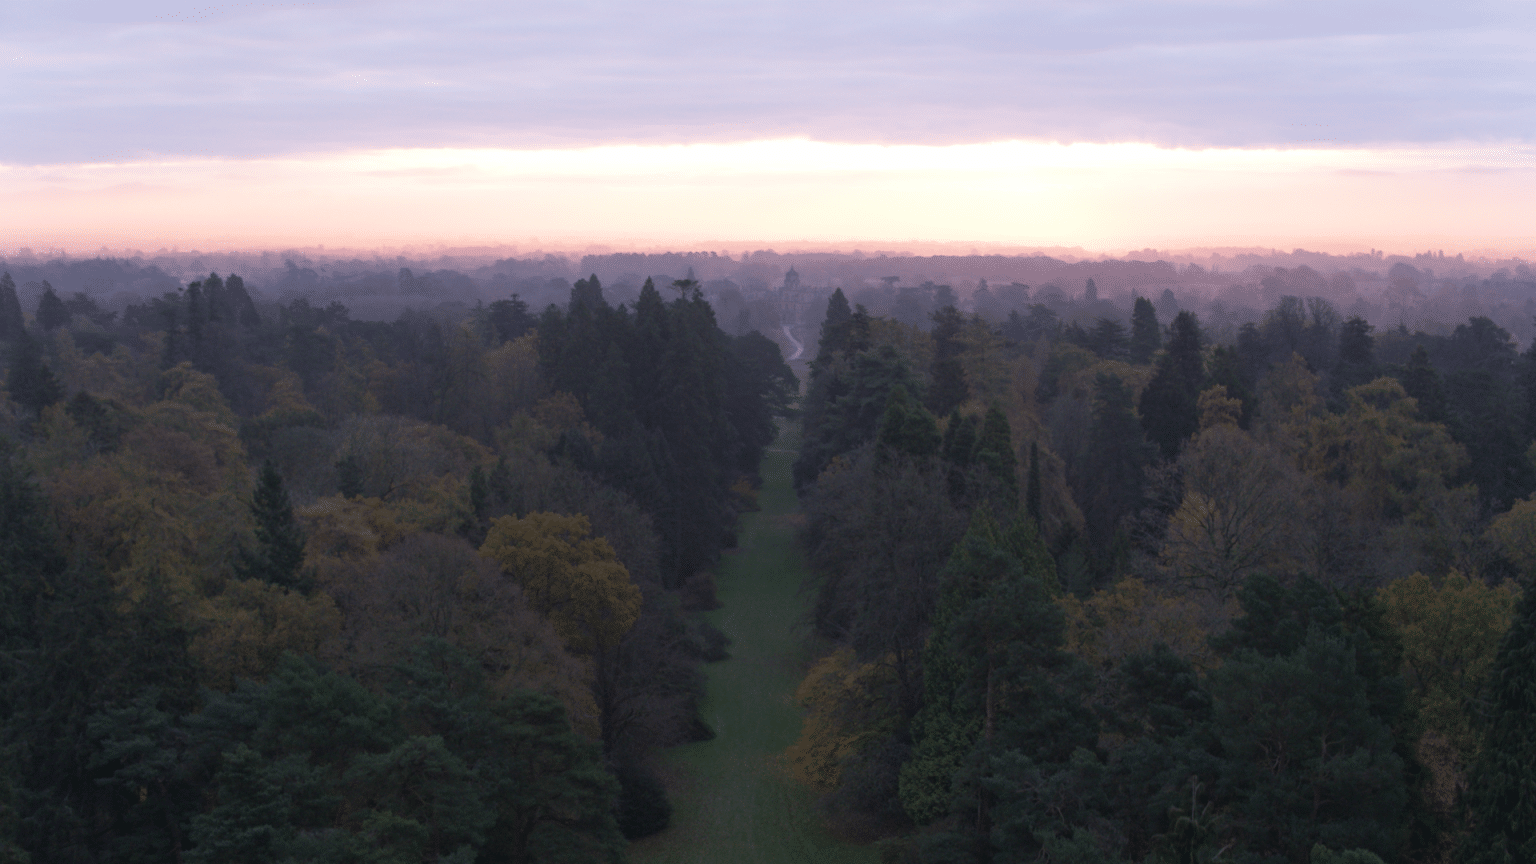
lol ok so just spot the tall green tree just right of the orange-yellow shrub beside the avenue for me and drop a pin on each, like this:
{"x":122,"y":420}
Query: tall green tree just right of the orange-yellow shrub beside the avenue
{"x":1019,"y":699}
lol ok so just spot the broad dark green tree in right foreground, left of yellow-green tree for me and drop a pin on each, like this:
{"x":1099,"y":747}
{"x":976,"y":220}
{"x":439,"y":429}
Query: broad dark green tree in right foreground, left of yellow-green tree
{"x":1306,"y":679}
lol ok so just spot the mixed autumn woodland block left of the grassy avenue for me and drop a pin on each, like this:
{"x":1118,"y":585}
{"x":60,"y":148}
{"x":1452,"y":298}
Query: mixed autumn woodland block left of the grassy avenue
{"x":282,"y":585}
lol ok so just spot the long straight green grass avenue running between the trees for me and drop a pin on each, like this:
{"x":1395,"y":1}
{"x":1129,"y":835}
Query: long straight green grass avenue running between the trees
{"x":732,"y":800}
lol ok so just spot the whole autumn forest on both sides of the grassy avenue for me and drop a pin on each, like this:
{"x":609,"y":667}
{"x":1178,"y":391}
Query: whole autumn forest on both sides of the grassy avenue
{"x":291,"y":585}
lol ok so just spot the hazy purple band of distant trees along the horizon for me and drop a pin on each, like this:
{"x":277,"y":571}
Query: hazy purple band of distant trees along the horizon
{"x":1422,"y":293}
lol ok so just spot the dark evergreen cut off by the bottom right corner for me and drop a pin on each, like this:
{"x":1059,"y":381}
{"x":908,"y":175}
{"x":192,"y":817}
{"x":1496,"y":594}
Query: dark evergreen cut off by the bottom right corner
{"x":1503,"y":780}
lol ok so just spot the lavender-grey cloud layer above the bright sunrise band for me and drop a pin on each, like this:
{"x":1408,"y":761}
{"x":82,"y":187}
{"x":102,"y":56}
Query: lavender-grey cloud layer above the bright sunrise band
{"x":137,"y":84}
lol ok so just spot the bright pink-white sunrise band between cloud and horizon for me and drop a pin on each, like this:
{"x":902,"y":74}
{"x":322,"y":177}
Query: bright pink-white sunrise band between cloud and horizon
{"x":790,"y":190}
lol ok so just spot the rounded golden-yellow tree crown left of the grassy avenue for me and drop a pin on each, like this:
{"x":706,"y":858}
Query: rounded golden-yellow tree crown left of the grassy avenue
{"x":572,"y":579}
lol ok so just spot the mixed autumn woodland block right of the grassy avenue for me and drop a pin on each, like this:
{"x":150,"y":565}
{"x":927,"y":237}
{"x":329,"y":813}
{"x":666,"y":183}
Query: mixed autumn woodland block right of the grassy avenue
{"x":1130,"y":594}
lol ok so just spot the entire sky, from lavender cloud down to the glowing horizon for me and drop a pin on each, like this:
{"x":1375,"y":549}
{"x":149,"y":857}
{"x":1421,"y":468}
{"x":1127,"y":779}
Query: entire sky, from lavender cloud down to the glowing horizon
{"x":1110,"y":125}
